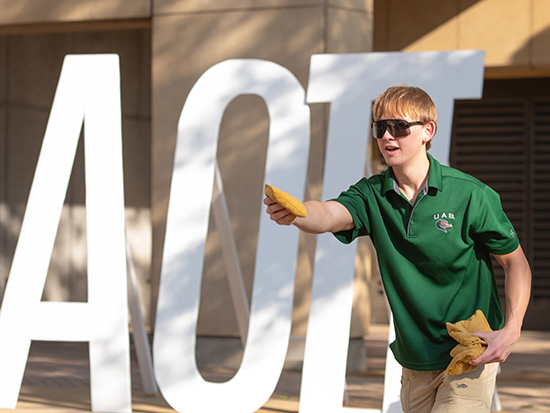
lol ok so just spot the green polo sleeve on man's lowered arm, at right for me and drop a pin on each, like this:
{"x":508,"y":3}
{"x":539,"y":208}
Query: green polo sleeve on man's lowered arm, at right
{"x":493,"y":228}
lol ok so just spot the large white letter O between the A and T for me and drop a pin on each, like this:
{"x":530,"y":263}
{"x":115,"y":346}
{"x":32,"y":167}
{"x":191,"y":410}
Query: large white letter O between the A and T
{"x":191,"y":195}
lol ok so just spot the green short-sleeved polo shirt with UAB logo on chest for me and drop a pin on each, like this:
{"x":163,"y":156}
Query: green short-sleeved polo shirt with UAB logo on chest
{"x":434,"y":256}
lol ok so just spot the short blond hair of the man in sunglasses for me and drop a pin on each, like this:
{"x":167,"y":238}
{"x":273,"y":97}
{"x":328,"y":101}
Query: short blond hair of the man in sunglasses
{"x":406,"y":101}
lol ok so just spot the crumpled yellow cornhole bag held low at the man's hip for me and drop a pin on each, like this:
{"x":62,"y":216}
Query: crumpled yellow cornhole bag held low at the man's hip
{"x":470,"y":346}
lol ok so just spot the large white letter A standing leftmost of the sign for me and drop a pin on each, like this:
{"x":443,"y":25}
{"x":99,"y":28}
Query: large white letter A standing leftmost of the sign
{"x":89,"y":88}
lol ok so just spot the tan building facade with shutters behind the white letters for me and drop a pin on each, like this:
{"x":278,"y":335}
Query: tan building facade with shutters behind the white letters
{"x":165,"y":46}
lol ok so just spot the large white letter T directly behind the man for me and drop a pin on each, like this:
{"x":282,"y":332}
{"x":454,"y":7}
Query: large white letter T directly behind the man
{"x":350,"y":83}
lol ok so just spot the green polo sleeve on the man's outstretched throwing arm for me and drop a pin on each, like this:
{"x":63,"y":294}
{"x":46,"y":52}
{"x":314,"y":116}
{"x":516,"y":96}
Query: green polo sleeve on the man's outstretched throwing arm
{"x":355,"y":201}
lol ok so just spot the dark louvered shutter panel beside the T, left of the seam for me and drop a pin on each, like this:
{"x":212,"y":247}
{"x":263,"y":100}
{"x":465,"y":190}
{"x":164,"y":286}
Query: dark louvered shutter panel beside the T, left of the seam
{"x":491,"y":142}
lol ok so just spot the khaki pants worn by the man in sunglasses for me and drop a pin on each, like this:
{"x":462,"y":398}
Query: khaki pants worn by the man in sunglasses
{"x":433,"y":391}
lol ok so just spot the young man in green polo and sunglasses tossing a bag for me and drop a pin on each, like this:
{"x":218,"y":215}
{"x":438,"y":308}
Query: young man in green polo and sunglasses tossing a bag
{"x":434,"y":229}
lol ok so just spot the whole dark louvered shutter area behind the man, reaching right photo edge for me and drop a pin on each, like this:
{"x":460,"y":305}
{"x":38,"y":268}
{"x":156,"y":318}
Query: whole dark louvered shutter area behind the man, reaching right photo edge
{"x":505,"y":143}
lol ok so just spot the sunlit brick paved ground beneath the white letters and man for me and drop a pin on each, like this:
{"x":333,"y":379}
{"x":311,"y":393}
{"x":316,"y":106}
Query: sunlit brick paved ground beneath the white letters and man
{"x":57,"y":380}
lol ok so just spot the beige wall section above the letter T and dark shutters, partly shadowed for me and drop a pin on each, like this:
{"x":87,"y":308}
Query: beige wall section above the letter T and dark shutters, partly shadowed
{"x":514,"y":33}
